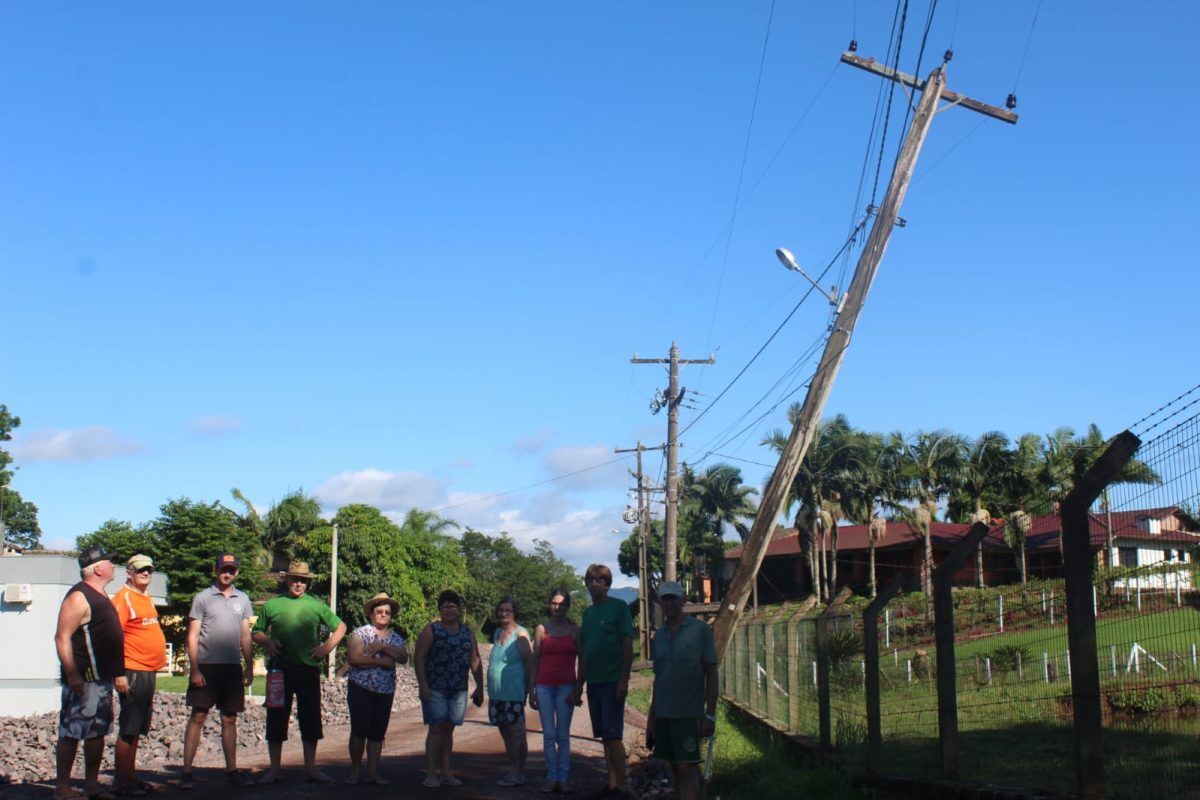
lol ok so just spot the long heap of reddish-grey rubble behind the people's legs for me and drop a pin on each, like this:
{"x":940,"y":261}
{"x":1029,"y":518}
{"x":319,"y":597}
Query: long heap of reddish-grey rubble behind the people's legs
{"x":27,"y":744}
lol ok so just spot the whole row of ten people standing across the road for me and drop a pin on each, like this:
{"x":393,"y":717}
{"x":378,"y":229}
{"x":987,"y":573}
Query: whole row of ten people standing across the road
{"x":117,"y":646}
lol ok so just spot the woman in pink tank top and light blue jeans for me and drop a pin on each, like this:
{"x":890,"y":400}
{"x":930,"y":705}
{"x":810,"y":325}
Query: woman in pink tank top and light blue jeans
{"x":556,"y":691}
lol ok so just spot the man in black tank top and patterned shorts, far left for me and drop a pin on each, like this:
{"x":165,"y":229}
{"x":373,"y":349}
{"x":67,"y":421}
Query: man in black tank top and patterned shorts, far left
{"x":92,"y":654}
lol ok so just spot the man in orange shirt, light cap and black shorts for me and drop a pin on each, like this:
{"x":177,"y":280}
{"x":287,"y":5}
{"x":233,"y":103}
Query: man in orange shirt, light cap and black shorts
{"x":146,"y":654}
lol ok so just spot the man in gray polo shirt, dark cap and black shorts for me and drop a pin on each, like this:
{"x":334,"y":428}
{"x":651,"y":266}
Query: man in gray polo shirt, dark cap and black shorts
{"x":223,"y":664}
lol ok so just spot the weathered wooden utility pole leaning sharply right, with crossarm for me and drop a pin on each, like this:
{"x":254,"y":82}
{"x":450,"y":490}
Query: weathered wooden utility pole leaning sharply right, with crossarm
{"x":933,"y":91}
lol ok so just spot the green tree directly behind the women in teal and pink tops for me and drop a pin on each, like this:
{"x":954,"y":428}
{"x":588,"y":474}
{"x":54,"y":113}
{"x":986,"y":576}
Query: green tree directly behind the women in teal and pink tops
{"x":500,"y":568}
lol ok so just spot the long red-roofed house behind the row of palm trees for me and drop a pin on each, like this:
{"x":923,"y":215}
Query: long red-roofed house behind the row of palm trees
{"x":1160,"y":540}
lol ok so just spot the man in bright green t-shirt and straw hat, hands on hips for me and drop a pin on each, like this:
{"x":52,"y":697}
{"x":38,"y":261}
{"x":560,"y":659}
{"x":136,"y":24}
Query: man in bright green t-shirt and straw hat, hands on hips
{"x":289,"y":629}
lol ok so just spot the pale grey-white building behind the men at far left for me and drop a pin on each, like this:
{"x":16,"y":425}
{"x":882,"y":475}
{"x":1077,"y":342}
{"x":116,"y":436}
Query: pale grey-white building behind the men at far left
{"x":29,"y":664}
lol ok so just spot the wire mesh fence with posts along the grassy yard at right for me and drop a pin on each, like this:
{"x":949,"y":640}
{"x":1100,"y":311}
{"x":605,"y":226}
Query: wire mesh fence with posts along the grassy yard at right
{"x":1087,"y":685}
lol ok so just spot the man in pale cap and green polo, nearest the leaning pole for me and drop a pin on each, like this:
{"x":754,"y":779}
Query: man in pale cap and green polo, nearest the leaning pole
{"x":683,"y":708}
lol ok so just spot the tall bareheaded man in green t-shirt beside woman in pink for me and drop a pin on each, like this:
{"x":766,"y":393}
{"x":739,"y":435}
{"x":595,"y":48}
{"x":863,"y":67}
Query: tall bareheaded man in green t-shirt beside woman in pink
{"x":607,"y":640}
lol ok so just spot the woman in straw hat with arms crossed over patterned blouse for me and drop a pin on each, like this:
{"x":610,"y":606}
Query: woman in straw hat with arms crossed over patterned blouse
{"x":374,"y":653}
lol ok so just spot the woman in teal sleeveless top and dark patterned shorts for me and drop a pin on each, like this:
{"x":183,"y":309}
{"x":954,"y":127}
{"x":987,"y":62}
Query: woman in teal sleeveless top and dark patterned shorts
{"x":509,"y":672}
